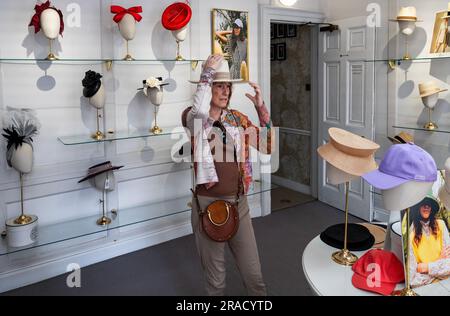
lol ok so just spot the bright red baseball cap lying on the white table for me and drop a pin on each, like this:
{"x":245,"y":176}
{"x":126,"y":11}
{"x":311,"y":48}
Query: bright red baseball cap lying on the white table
{"x":378,"y":271}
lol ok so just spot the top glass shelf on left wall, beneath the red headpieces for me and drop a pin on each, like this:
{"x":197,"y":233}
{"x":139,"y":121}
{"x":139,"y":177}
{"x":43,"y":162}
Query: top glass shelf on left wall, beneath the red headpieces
{"x":90,"y":61}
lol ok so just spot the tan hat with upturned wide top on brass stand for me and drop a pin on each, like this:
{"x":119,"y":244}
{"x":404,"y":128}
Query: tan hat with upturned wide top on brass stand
{"x":348,"y":152}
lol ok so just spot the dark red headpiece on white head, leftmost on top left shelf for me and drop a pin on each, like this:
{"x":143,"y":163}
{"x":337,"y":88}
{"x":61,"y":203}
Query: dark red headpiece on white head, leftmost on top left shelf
{"x":51,"y":21}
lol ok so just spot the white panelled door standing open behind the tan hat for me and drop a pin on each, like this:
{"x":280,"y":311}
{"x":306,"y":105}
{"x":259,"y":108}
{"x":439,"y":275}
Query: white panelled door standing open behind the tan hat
{"x":346,"y":99}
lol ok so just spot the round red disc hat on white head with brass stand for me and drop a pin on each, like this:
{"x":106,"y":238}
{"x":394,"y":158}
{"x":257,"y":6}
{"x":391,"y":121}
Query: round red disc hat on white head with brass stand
{"x":176,"y":18}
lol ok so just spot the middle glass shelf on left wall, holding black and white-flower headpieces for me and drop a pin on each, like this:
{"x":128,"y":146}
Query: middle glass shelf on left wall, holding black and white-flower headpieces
{"x":123,"y":135}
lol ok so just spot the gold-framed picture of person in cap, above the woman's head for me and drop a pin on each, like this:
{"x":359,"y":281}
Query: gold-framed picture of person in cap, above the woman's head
{"x":230,"y":39}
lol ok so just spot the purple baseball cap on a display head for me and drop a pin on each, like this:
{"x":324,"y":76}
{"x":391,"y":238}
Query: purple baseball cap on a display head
{"x":403,"y":163}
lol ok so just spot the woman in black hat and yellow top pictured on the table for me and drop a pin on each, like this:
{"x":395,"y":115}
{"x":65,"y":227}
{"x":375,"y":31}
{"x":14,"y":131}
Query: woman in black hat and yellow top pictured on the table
{"x":429,"y":244}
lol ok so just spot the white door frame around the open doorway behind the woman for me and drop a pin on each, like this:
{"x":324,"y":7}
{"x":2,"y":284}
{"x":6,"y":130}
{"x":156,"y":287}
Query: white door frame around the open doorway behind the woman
{"x":268,"y":15}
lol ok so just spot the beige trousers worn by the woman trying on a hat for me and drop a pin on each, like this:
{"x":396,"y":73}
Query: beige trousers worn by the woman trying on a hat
{"x":243,"y":247}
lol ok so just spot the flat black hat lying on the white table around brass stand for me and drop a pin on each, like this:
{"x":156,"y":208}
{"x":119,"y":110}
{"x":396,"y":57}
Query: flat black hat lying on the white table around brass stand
{"x":359,"y":237}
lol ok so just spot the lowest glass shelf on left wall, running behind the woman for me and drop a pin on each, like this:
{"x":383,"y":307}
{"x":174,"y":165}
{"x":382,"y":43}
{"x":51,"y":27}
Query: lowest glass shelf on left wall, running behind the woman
{"x":70,"y":230}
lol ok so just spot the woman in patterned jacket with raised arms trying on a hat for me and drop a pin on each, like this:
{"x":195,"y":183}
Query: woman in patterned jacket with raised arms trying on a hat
{"x":223,"y":171}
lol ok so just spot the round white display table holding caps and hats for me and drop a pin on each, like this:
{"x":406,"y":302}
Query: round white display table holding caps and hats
{"x":327,"y":278}
